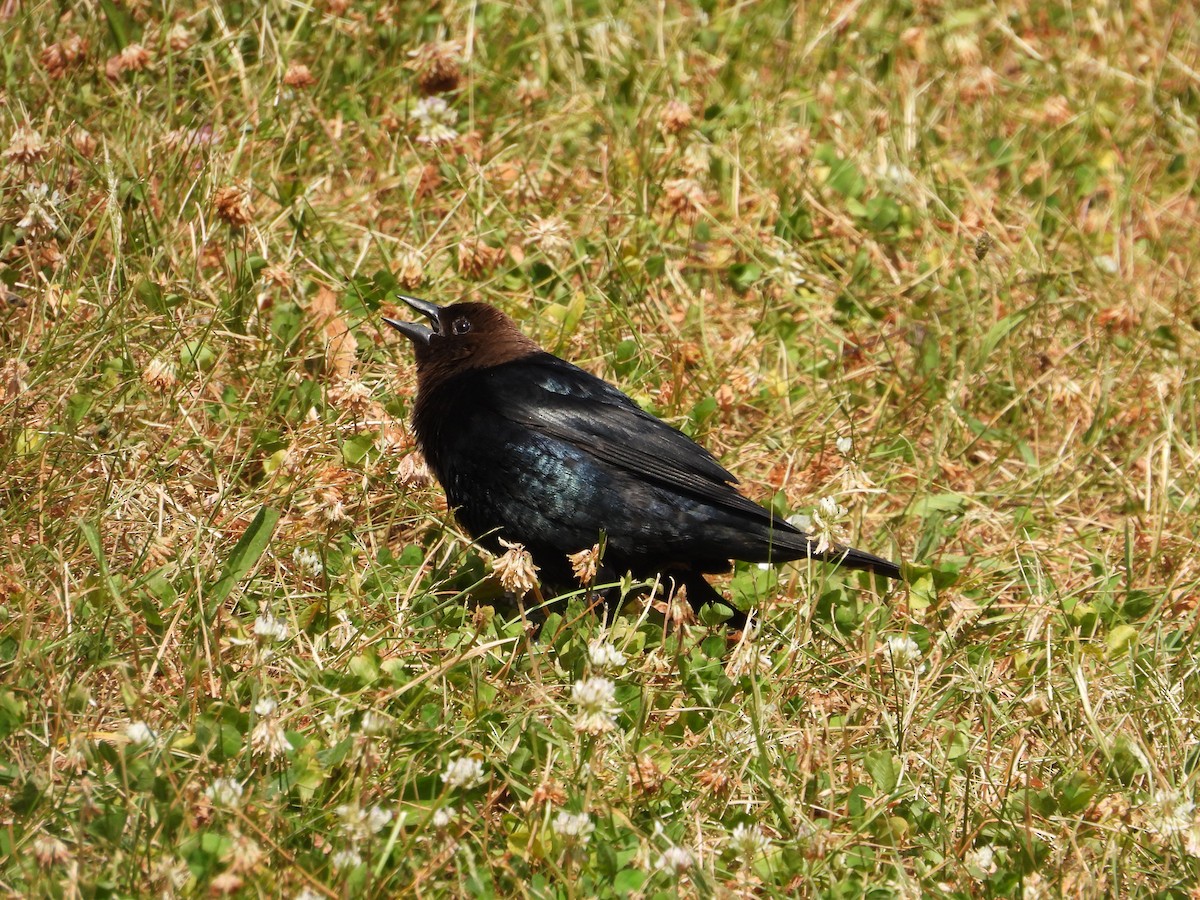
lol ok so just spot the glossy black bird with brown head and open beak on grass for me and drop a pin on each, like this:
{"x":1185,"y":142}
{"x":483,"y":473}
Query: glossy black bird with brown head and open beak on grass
{"x":536,"y":451}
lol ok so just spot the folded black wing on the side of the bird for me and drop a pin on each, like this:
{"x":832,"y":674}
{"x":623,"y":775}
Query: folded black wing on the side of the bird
{"x":565,"y":403}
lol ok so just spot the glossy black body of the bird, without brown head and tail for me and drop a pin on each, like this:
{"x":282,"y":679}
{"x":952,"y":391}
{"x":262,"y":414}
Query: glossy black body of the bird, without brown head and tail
{"x":549,"y":455}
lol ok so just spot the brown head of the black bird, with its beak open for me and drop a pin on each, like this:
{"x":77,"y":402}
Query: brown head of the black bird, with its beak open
{"x":461,"y":338}
